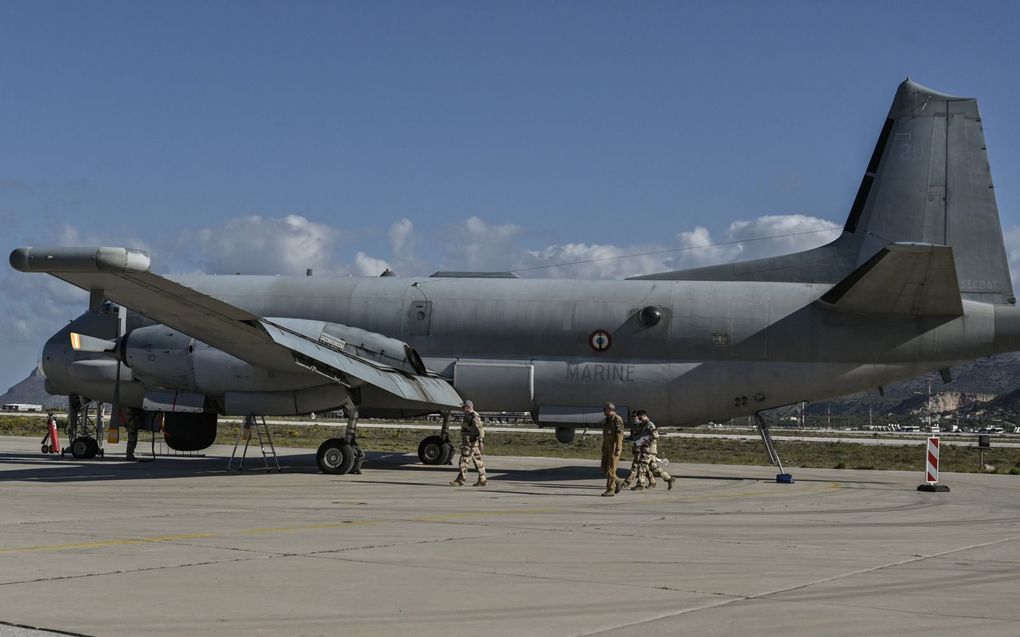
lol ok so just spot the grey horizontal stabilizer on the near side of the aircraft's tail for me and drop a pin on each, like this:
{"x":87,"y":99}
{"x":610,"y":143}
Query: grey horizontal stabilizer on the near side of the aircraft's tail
{"x":917,"y":280}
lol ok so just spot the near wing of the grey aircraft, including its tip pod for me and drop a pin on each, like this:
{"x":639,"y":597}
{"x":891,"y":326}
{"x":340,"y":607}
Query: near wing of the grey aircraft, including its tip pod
{"x":123,"y":277}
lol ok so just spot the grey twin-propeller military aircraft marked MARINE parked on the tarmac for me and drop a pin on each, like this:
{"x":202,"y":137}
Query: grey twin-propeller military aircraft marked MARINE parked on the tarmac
{"x":917,"y":282}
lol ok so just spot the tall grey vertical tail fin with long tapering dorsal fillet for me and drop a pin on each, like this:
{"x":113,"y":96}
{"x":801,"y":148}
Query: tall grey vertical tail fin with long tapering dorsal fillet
{"x":928,"y":182}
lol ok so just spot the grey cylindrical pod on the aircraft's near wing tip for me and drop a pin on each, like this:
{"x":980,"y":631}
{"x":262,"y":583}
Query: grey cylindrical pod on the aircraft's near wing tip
{"x":54,"y":260}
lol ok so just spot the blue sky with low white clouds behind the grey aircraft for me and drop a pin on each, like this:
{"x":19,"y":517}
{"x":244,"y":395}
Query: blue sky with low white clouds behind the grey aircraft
{"x":270,"y":137}
